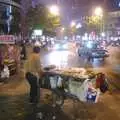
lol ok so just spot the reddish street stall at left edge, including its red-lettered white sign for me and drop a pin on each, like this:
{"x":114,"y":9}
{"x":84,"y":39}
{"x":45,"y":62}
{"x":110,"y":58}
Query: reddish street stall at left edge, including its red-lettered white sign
{"x":9,"y":53}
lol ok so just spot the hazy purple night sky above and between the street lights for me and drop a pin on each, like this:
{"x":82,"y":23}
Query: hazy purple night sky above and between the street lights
{"x":73,"y":9}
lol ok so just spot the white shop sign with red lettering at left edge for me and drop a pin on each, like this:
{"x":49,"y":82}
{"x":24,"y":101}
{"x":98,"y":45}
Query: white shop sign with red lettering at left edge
{"x":7,"y":39}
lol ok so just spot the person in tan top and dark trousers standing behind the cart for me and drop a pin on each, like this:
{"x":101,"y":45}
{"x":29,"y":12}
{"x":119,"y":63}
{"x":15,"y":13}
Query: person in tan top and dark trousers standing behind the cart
{"x":33,"y":74}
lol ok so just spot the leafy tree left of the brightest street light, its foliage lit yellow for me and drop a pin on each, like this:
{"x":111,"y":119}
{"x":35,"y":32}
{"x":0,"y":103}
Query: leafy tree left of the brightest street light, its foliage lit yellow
{"x":39,"y":17}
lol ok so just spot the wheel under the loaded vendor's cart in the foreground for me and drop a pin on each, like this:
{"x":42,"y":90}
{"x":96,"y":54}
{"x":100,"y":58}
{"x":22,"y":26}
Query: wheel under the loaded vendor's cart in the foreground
{"x":57,"y":99}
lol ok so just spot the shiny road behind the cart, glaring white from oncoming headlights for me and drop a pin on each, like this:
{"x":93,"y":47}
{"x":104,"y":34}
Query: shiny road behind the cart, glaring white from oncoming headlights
{"x":69,"y":58}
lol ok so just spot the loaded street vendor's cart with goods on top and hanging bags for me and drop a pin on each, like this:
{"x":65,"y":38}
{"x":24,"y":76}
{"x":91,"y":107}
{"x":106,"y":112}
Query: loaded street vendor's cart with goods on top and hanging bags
{"x":74,"y":83}
